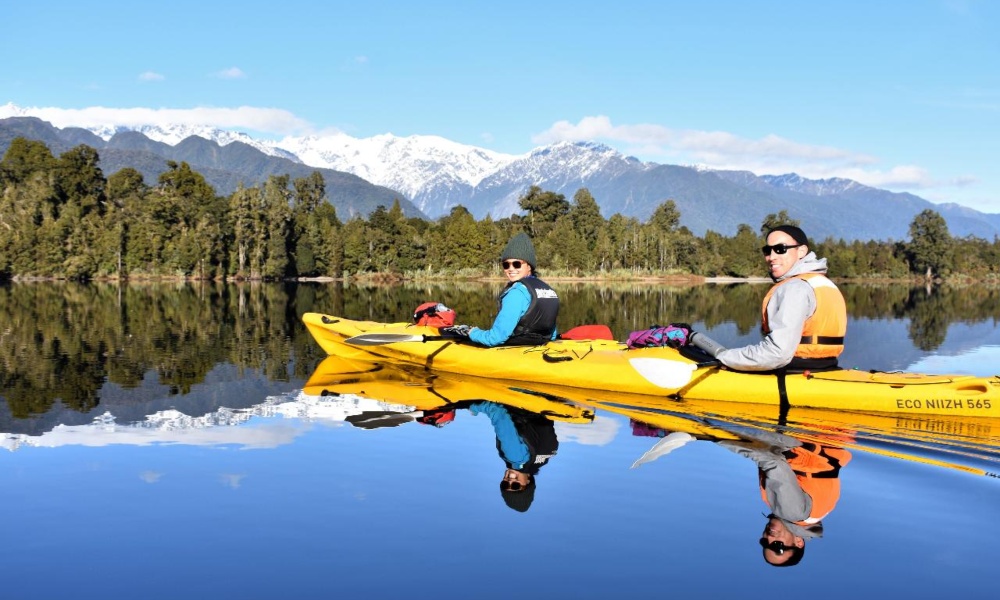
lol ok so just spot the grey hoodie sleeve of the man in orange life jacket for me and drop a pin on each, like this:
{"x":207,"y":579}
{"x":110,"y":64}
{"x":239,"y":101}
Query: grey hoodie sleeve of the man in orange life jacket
{"x":787,"y":311}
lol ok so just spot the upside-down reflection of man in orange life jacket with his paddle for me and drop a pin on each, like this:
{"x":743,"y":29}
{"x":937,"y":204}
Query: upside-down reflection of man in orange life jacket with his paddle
{"x":799,"y":481}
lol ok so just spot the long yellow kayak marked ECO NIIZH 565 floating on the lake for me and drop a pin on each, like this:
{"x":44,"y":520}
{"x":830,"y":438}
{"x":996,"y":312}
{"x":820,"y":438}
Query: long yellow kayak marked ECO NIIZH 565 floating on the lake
{"x":663,"y":372}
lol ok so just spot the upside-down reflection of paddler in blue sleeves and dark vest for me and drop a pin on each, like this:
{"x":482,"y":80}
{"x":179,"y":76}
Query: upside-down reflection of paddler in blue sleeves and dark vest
{"x":525,"y":442}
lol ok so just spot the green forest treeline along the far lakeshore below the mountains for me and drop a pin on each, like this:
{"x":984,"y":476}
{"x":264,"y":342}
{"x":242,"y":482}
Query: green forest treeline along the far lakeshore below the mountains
{"x":60,"y":217}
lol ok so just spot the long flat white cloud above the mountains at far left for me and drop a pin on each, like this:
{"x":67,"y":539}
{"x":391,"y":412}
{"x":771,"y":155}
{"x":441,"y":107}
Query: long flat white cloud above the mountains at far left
{"x":266,"y":120}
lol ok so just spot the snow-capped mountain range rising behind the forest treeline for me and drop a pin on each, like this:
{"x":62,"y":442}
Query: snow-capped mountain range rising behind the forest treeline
{"x":430,"y":175}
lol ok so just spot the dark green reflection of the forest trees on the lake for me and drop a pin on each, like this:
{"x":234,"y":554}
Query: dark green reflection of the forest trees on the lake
{"x":65,"y":341}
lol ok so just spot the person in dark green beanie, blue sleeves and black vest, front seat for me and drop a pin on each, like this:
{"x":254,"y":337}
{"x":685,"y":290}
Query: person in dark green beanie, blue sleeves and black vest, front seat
{"x":528,"y":306}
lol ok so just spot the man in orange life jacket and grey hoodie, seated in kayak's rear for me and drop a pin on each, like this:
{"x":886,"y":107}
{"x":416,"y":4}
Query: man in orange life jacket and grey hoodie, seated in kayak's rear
{"x":804,"y":316}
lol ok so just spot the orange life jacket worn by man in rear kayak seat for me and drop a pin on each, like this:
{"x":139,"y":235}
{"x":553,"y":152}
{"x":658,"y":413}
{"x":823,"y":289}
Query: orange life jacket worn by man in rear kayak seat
{"x":823,"y":332}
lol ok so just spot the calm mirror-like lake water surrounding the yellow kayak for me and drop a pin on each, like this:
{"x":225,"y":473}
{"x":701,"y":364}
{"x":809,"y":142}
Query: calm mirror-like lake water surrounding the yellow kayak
{"x":163,"y":443}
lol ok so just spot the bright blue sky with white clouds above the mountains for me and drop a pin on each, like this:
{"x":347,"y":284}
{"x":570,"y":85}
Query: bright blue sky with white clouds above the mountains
{"x":898,"y":94}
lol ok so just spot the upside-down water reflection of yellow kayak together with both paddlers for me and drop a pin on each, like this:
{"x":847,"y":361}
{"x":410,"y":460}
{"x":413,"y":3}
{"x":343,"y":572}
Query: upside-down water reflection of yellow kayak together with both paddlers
{"x":798,"y":452}
